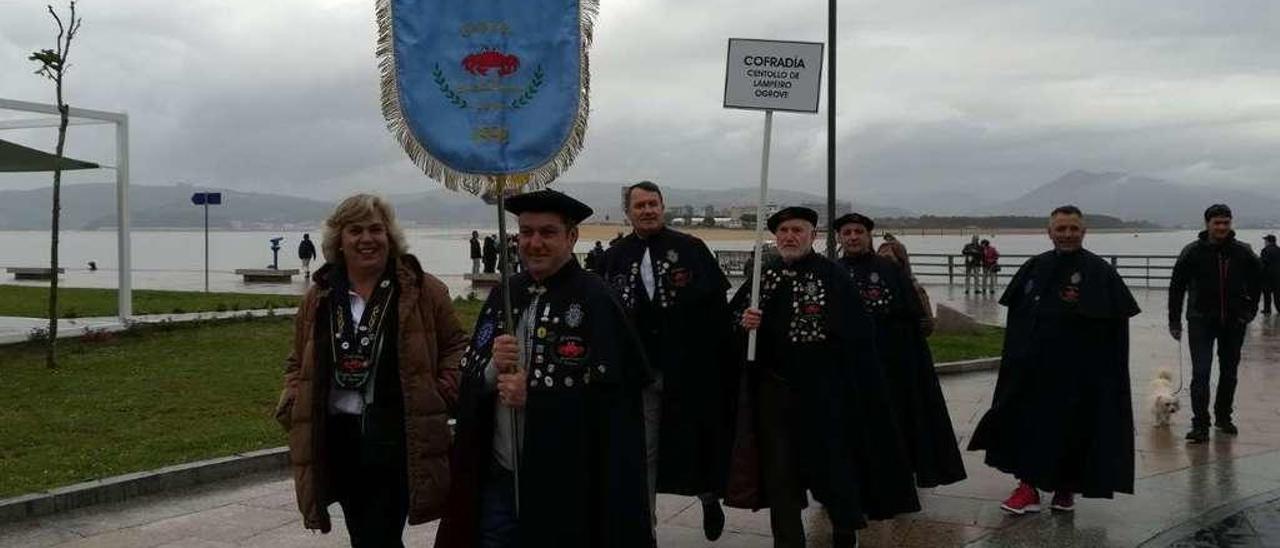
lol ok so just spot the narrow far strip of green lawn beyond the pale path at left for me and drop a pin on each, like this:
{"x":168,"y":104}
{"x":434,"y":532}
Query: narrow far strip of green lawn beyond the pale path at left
{"x":81,"y":303}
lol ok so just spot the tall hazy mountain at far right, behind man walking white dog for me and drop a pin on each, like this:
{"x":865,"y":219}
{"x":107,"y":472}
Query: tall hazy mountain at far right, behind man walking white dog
{"x":1133,"y":198}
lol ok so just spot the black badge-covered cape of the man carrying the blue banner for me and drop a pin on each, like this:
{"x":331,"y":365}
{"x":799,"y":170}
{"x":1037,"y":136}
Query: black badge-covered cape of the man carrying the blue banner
{"x":583,"y":479}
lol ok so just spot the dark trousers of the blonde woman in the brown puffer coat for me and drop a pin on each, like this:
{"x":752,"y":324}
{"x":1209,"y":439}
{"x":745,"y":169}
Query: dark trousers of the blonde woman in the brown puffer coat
{"x":371,"y":482}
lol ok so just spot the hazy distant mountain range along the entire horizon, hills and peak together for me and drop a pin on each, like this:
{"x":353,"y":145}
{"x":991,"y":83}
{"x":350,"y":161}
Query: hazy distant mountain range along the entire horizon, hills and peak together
{"x":1124,"y":197}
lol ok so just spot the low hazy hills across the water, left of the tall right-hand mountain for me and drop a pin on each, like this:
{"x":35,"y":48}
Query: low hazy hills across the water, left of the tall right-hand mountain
{"x":93,"y":207}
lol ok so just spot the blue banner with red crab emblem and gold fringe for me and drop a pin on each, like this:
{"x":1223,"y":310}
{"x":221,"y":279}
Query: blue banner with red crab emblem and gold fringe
{"x":478,"y":90}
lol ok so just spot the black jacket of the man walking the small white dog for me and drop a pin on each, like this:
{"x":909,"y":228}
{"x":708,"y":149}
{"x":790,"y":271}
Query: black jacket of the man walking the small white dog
{"x":1223,"y":280}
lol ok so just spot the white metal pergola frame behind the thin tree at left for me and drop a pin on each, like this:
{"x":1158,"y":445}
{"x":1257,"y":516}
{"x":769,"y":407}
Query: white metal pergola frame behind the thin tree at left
{"x":85,"y":117}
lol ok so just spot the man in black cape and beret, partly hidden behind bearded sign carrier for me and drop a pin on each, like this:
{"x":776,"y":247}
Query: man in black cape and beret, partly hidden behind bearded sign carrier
{"x":917,"y":396}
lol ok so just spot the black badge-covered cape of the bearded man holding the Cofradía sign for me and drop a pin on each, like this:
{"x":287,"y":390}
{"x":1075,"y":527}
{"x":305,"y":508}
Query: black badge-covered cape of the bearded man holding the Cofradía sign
{"x":817,"y":336}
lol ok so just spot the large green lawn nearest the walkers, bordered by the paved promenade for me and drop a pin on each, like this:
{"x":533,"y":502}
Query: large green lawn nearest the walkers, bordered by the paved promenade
{"x":170,"y":395}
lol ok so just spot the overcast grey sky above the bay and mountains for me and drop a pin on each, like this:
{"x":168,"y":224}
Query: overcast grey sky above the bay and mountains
{"x":940,"y":103}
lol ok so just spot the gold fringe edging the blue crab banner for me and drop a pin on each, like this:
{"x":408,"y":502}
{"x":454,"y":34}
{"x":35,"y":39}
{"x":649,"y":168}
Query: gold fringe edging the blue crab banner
{"x":478,"y":184}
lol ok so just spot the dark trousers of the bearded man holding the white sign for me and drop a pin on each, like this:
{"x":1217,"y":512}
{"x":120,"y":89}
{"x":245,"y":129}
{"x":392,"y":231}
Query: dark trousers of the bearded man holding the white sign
{"x":780,"y":463}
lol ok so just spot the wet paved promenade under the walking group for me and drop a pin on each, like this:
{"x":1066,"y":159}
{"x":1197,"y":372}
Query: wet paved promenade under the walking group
{"x":1222,"y":494}
